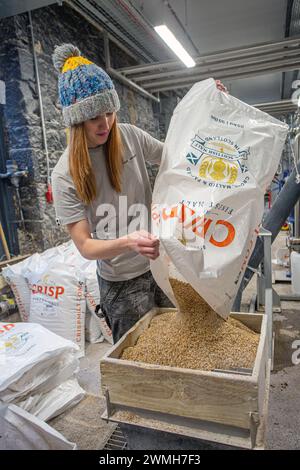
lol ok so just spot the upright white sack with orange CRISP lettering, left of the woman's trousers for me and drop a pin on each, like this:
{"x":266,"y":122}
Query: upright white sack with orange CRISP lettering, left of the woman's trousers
{"x":59,"y":290}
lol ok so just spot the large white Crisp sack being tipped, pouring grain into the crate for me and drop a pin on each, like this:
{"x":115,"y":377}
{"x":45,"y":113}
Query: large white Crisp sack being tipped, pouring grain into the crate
{"x":219,"y":157}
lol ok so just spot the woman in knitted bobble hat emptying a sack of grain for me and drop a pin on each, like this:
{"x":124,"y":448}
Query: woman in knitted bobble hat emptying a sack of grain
{"x":102,"y":192}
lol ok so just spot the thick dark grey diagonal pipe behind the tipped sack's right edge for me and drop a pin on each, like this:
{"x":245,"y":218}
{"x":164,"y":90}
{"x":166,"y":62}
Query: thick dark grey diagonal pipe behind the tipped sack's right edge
{"x":285,"y":201}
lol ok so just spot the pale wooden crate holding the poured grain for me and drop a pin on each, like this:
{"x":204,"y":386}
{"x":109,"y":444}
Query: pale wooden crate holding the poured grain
{"x":231,"y":399}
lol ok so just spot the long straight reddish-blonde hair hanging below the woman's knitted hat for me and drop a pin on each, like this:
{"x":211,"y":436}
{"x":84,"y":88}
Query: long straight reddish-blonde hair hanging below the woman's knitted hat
{"x":81,"y":166}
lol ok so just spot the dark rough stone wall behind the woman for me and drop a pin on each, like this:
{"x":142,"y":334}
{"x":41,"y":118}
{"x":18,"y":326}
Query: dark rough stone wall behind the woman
{"x":53,"y":25}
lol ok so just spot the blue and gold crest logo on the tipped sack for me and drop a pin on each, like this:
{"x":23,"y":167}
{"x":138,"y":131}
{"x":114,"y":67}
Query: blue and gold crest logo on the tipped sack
{"x":217,"y":159}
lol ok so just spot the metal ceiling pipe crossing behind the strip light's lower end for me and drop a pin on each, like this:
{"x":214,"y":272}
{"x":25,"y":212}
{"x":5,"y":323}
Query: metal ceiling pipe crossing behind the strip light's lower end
{"x":220,"y":55}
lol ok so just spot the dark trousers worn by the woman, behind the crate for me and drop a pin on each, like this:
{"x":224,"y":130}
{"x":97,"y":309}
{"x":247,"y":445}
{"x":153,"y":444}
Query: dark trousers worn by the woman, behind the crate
{"x":123,"y":303}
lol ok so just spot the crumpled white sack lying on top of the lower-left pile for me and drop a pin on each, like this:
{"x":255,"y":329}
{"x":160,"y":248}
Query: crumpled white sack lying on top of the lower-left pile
{"x":38,"y":370}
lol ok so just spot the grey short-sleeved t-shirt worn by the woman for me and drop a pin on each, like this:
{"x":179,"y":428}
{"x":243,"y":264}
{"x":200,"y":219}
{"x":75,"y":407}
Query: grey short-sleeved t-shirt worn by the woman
{"x":108,"y":216}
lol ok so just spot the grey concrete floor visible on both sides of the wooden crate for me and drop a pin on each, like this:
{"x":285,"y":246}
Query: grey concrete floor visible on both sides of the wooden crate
{"x":83,"y":424}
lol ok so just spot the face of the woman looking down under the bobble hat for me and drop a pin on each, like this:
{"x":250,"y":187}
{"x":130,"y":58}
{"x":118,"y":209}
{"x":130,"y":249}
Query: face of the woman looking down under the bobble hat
{"x":97,"y":129}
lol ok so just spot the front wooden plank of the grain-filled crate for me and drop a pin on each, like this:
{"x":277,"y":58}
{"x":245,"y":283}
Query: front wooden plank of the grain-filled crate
{"x":220,"y":398}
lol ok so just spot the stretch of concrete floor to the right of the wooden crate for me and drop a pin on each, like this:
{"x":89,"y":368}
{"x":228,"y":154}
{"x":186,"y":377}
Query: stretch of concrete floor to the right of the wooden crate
{"x":284,"y":405}
